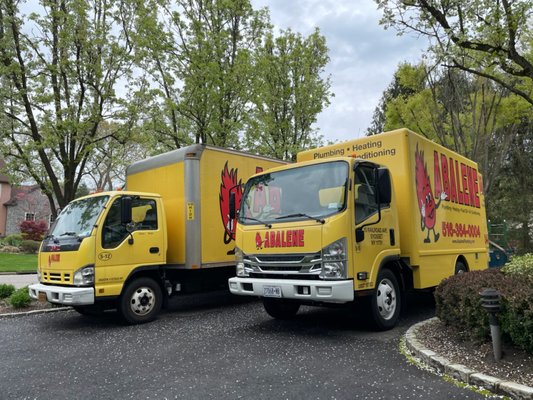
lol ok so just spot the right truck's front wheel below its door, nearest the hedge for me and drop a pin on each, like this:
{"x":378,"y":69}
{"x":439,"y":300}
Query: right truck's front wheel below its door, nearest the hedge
{"x":386,"y":302}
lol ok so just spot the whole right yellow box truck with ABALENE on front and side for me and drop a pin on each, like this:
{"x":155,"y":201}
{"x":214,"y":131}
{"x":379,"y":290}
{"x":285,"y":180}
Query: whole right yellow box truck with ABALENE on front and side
{"x":366,"y":219}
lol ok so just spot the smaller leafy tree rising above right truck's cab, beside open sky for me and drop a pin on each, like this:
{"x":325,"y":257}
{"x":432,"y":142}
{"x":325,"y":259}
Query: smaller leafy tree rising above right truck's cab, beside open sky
{"x":289,"y":93}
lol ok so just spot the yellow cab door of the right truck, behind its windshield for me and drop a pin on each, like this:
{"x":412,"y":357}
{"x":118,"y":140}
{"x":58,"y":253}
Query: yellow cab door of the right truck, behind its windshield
{"x":374,"y":224}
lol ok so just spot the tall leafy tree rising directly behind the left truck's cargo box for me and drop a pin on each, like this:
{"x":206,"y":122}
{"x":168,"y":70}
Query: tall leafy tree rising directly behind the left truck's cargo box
{"x":200,"y":54}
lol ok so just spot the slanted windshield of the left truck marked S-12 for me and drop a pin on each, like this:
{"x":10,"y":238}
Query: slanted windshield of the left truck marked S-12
{"x":78,"y":218}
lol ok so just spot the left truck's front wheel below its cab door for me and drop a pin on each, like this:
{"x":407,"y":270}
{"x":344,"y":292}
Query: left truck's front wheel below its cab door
{"x":140,"y":301}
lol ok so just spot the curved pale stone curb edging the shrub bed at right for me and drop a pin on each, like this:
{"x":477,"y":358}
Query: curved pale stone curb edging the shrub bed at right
{"x":461,"y":372}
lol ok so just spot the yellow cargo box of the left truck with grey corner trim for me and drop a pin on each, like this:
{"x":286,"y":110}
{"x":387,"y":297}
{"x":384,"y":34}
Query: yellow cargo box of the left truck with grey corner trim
{"x":194,"y":183}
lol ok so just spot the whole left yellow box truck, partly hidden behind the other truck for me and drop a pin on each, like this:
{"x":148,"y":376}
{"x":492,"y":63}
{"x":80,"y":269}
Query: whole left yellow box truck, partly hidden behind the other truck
{"x":169,"y":233}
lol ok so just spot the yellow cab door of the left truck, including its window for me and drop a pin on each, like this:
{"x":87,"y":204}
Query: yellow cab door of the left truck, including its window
{"x":120,"y":249}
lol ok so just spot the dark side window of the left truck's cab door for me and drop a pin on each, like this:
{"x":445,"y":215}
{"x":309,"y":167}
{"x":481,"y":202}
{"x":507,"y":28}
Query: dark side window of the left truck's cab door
{"x":144,"y":217}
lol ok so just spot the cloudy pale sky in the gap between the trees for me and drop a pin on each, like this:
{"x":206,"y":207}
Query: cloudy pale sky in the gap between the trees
{"x":363,"y":56}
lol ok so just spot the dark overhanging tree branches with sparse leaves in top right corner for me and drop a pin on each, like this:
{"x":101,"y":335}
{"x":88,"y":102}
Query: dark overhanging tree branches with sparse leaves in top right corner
{"x":491,"y":39}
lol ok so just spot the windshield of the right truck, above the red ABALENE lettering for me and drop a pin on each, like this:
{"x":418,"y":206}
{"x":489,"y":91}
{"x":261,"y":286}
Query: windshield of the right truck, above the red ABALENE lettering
{"x":307,"y":192}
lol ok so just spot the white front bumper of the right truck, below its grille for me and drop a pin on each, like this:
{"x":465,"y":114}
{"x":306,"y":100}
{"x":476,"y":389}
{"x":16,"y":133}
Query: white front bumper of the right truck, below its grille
{"x":320,"y":291}
